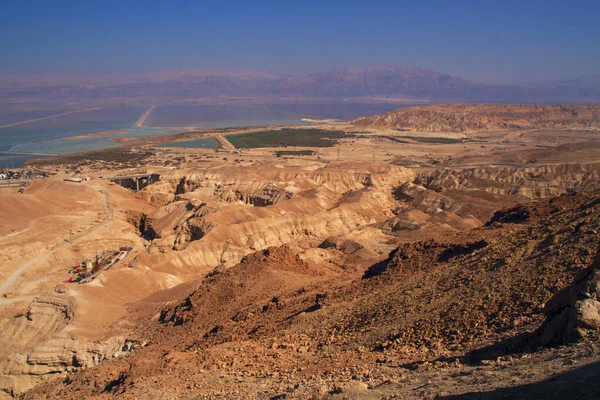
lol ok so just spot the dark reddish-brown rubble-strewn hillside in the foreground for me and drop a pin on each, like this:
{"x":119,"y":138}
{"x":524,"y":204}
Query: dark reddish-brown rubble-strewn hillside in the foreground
{"x":435,"y":318}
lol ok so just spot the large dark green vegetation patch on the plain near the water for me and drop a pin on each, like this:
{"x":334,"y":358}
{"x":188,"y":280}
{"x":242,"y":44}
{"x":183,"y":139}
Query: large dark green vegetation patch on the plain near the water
{"x":287,"y":137}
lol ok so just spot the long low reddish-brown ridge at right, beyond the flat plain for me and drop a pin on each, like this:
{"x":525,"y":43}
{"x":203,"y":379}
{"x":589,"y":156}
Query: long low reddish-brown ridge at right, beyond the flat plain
{"x":485,"y":117}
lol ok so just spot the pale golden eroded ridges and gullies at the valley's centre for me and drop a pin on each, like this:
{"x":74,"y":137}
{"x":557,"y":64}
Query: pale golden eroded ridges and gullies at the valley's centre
{"x":219,"y":215}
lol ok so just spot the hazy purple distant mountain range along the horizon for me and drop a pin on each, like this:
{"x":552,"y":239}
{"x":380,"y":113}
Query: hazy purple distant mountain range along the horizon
{"x":382,"y":83}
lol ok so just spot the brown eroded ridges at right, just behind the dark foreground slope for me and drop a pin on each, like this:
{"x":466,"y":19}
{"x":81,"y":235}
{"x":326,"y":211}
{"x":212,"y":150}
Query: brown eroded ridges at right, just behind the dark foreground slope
{"x":464,"y":198}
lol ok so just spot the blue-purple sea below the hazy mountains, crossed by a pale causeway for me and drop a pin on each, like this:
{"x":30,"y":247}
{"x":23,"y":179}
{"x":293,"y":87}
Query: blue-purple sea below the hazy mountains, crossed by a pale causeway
{"x":37,"y":133}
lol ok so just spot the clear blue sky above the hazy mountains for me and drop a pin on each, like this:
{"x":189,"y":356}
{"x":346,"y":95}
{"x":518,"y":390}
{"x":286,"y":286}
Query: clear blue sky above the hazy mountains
{"x":486,"y":40}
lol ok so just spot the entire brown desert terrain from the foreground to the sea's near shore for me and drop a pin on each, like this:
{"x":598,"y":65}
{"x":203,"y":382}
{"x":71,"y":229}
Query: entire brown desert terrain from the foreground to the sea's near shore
{"x":439,"y":251}
